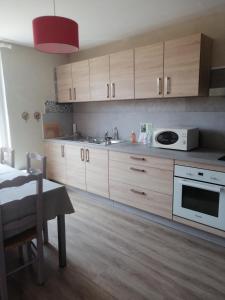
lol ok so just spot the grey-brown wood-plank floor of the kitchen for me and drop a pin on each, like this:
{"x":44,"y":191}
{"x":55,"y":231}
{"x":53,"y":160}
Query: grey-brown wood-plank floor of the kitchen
{"x":113,"y":254}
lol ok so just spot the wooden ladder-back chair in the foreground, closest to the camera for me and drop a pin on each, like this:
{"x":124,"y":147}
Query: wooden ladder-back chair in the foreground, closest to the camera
{"x":24,"y":238}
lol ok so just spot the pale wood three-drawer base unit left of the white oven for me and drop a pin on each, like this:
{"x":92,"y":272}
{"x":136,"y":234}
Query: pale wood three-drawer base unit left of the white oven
{"x":141,"y":181}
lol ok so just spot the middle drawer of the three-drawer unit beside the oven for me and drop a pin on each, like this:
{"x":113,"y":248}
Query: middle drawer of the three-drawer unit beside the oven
{"x":141,"y":176}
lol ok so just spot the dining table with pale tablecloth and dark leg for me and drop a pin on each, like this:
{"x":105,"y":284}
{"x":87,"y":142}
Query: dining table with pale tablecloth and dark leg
{"x":56,"y":204}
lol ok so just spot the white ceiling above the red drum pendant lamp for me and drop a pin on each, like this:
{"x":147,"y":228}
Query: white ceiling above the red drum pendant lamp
{"x":100,"y":21}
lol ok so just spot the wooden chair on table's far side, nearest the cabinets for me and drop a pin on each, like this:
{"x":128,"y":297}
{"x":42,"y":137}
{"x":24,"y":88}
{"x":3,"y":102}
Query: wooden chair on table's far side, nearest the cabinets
{"x":30,"y":170}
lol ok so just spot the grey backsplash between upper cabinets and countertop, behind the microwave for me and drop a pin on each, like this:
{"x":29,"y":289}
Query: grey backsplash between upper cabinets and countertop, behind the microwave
{"x":206,"y":113}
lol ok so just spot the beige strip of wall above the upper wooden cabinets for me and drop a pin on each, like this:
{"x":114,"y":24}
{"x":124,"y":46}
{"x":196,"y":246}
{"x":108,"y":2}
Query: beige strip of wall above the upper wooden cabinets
{"x":212,"y":25}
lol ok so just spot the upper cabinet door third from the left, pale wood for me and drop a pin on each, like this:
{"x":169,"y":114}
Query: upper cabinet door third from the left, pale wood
{"x":99,"y":78}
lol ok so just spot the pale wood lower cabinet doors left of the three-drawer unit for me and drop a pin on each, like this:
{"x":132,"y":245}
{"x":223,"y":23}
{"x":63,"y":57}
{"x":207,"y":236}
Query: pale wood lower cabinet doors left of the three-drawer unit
{"x":80,"y":167}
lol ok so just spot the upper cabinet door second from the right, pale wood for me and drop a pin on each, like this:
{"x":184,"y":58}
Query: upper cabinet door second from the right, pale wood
{"x":149,"y":71}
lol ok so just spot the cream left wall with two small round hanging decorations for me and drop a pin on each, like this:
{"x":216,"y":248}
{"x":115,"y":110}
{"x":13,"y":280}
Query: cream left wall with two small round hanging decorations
{"x":29,"y":81}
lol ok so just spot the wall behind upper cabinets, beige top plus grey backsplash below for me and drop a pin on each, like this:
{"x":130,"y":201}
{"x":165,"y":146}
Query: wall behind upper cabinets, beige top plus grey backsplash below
{"x":207,"y":113}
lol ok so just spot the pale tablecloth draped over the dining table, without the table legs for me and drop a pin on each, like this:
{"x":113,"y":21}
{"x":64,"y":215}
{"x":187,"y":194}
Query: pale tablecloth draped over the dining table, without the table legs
{"x":55,"y":198}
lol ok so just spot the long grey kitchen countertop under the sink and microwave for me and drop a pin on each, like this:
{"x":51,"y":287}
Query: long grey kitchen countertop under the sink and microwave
{"x":200,"y":155}
